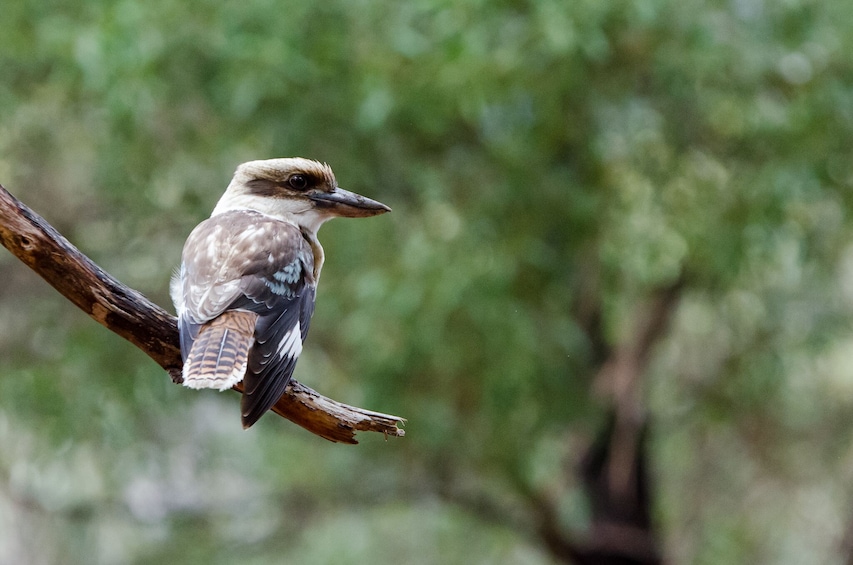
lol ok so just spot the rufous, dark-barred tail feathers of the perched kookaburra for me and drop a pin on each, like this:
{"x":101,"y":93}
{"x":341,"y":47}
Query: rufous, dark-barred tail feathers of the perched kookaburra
{"x":220,"y":352}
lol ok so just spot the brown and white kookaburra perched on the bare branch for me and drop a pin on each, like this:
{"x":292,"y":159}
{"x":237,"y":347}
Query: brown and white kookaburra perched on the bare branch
{"x":245,"y":290}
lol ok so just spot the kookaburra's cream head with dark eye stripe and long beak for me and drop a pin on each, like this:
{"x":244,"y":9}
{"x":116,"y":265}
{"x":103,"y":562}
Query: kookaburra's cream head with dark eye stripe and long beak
{"x":294,"y":189}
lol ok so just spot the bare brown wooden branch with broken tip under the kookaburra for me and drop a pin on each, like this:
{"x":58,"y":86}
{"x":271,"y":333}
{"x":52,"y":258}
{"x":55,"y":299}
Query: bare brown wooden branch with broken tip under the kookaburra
{"x":153,"y":330}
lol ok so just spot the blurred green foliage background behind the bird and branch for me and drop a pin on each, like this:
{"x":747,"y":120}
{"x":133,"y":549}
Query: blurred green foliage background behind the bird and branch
{"x":614,"y":298}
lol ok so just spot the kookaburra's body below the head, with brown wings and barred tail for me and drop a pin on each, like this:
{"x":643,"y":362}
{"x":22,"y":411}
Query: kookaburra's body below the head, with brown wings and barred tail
{"x":249,"y":281}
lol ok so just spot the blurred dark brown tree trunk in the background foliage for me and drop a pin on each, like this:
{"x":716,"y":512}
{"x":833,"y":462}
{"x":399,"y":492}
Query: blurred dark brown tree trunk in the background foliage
{"x":614,"y":471}
